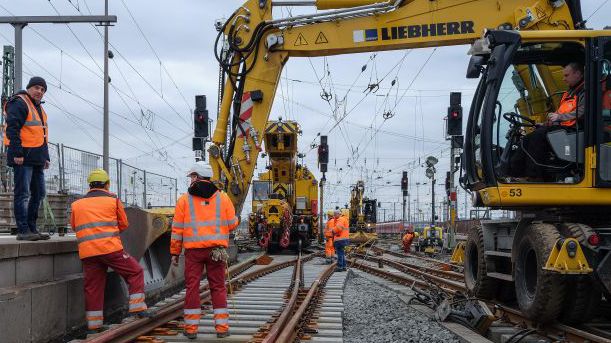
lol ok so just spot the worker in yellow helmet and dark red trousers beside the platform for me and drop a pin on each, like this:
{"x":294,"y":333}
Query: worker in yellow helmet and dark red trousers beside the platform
{"x":97,"y":219}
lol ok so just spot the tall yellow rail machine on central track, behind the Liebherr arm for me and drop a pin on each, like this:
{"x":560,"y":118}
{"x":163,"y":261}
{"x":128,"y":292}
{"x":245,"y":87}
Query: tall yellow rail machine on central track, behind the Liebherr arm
{"x":285,"y":198}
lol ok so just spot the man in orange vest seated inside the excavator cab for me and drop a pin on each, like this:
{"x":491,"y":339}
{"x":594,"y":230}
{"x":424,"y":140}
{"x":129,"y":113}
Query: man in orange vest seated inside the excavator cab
{"x":535,"y":146}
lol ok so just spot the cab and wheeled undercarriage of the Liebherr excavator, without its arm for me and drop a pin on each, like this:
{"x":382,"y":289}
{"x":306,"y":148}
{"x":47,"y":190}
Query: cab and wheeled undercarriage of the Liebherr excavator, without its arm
{"x":520,"y":84}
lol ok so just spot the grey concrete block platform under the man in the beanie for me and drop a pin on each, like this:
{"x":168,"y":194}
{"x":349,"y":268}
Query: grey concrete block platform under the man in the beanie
{"x":41,"y":289}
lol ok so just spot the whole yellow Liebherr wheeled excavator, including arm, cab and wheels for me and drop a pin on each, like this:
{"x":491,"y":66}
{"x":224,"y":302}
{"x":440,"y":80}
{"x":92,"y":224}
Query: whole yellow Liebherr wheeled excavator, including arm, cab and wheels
{"x":556,"y":254}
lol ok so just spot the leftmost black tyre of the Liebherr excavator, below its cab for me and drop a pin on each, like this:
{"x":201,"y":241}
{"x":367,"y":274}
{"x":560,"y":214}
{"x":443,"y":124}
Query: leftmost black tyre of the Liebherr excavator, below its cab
{"x":478,"y":283}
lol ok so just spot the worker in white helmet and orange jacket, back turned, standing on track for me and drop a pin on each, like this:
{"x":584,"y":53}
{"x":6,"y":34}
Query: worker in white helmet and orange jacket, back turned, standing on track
{"x":203,"y":219}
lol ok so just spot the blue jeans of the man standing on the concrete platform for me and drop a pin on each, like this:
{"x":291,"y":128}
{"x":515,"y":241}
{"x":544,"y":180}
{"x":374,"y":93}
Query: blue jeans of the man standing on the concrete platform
{"x":28,"y":193}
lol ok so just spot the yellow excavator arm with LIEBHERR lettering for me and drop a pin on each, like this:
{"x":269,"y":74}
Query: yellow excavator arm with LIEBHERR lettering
{"x":252,"y":47}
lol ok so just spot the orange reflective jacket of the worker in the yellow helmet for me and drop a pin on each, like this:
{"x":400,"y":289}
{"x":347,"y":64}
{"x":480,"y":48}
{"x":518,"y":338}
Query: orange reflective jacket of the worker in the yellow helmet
{"x":97,"y":219}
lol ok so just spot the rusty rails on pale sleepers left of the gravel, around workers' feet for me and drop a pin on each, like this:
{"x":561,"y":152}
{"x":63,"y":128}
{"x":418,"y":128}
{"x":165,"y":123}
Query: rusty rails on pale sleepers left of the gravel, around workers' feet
{"x":288,"y":298}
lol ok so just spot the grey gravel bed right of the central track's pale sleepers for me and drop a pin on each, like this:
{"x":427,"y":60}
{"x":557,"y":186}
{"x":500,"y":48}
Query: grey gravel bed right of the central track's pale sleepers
{"x":373,"y":314}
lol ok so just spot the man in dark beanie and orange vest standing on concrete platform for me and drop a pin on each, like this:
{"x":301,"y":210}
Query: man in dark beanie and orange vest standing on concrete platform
{"x":26,"y":137}
